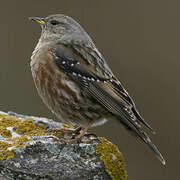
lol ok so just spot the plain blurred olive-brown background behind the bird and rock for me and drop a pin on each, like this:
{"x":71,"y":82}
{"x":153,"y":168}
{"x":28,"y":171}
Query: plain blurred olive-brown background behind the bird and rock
{"x":139,"y":39}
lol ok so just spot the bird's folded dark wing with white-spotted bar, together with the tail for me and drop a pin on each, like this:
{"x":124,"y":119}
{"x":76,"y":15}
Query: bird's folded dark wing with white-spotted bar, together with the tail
{"x":90,"y":71}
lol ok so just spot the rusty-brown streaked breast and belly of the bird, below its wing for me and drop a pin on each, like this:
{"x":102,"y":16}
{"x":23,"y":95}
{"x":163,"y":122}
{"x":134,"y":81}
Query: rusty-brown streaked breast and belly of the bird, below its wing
{"x":61,"y":94}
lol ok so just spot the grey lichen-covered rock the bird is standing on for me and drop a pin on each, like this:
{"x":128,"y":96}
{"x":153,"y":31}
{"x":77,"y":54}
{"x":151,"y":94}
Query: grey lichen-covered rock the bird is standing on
{"x":29,"y":149}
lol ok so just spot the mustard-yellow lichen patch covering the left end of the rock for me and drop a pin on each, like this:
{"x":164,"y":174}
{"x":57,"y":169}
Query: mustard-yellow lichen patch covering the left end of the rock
{"x":24,"y":128}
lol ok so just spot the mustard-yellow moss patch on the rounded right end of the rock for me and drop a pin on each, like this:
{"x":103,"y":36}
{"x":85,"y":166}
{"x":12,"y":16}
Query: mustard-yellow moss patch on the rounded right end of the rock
{"x":112,"y":159}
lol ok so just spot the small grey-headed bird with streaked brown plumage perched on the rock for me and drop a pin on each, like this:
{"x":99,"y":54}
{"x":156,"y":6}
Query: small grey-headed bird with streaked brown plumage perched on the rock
{"x":76,"y":83}
